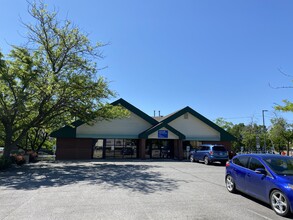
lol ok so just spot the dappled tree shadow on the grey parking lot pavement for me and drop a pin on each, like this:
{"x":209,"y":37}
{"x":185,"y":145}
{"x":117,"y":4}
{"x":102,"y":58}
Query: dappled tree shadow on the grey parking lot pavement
{"x":144,"y":178}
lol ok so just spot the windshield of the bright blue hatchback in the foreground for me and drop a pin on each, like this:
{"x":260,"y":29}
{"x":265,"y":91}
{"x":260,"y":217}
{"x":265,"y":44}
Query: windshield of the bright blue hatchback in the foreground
{"x":280,"y":165}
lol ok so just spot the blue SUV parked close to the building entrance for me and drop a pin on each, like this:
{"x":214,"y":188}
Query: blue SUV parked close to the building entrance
{"x":210,"y":153}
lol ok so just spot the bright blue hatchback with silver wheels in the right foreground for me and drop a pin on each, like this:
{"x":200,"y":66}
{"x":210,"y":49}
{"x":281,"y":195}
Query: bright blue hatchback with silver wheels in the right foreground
{"x":267,"y":177}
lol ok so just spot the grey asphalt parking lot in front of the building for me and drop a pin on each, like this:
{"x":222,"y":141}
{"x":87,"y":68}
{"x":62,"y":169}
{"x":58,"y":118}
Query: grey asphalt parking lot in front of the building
{"x":123,"y":190}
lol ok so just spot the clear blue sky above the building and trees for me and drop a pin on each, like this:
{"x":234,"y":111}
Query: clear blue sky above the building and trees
{"x":218,"y":57}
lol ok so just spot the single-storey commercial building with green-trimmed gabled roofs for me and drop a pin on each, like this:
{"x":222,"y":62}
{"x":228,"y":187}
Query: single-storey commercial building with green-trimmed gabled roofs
{"x":139,"y":136}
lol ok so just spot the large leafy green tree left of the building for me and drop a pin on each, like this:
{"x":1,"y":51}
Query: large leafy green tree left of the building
{"x":51,"y":80}
